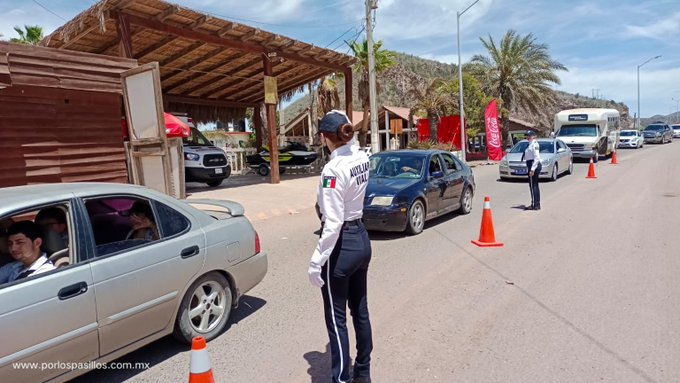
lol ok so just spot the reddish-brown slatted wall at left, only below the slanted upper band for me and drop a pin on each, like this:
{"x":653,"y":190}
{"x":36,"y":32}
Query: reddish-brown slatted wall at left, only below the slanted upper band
{"x":57,"y":135}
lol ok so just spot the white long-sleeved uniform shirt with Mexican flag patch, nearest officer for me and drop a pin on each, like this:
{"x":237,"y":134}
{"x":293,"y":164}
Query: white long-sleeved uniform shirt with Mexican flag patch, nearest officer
{"x":340,"y":196}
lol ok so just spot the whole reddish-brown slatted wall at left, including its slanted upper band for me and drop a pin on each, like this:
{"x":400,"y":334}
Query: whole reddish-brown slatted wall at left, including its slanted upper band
{"x":60,"y":116}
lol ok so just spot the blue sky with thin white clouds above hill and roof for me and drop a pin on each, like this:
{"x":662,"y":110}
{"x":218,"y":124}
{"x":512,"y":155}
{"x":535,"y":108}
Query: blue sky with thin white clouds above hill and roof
{"x":601,"y":42}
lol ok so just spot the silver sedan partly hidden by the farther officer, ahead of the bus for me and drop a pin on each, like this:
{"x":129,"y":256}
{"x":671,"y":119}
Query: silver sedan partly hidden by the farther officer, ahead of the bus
{"x":556,"y":158}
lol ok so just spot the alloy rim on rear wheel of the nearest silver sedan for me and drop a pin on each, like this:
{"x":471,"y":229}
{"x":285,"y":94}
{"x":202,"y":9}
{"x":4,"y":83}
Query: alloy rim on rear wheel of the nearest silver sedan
{"x":207,"y":306}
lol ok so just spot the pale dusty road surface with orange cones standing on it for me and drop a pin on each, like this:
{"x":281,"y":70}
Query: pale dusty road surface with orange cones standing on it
{"x":584,"y":290}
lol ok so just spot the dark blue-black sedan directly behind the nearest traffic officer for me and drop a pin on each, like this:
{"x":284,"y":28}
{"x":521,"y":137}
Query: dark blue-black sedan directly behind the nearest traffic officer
{"x":408,"y":187}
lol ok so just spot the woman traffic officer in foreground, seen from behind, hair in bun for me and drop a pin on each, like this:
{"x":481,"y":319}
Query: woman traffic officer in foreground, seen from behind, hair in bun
{"x":339,"y":264}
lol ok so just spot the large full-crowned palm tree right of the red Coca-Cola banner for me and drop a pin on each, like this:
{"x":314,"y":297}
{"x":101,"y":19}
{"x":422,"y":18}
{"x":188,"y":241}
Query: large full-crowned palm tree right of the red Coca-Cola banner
{"x":518,"y":72}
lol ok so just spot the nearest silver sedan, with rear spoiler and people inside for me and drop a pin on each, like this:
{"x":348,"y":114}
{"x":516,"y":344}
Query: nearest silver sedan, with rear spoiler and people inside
{"x":131,"y":265}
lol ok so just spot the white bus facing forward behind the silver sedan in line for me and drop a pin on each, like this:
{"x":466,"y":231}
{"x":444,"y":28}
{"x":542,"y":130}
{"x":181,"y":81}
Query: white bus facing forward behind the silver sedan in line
{"x":589,"y":132}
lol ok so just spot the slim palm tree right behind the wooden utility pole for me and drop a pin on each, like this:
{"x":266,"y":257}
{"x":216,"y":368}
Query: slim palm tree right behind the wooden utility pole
{"x":383,"y":60}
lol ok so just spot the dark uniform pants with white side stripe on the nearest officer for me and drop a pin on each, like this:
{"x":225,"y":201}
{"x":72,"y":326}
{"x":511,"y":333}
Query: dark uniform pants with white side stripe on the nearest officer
{"x":345,"y":284}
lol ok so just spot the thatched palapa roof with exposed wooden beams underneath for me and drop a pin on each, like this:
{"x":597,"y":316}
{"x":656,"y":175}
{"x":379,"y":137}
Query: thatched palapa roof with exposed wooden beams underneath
{"x":207,"y":63}
